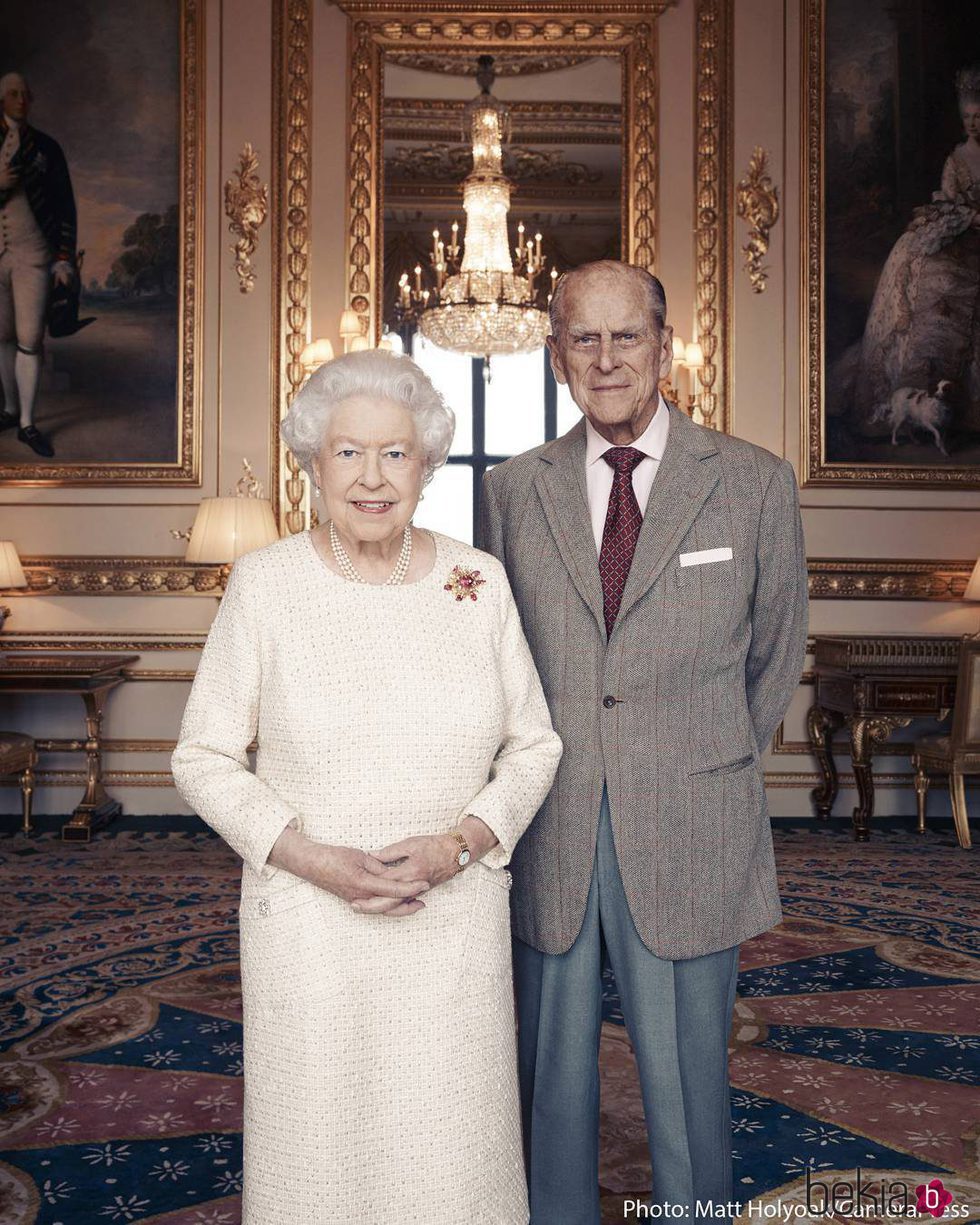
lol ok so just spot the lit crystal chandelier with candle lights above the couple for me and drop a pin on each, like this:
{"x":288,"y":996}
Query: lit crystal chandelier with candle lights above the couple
{"x":486,"y":303}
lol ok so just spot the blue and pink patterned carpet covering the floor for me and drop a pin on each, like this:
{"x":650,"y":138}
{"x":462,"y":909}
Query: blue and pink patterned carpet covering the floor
{"x":857,"y":1042}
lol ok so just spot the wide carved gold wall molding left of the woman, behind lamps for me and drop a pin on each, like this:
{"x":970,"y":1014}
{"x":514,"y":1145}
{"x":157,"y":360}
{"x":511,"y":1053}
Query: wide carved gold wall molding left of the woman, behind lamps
{"x":119,"y":576}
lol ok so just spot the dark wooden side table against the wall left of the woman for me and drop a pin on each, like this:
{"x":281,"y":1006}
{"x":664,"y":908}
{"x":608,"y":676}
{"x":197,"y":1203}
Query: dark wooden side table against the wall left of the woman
{"x":92,"y":678}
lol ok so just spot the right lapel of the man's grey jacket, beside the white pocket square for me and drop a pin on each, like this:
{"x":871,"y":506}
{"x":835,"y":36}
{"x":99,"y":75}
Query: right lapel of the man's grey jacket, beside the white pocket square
{"x":688,"y":475}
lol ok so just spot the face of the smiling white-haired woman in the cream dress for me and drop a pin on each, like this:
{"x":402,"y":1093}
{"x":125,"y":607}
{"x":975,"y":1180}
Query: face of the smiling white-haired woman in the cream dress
{"x":371,"y":469}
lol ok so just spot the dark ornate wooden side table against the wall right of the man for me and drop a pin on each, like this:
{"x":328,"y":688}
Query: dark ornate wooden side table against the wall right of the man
{"x":873,"y":685}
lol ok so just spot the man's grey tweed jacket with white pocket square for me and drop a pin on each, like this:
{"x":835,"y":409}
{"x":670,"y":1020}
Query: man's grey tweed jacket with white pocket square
{"x":703,"y":662}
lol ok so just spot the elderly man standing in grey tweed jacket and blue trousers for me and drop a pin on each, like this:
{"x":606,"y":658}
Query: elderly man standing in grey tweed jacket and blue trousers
{"x":661,"y":576}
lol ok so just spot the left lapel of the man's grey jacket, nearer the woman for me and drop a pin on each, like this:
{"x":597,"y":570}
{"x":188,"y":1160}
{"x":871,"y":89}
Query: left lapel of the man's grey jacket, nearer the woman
{"x":562,"y":488}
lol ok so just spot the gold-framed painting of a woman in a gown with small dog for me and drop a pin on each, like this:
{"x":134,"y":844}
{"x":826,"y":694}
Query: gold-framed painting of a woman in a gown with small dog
{"x":873,"y":418}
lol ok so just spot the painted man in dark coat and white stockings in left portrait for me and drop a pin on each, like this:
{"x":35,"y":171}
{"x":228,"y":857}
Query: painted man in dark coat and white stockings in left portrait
{"x":37,"y":242}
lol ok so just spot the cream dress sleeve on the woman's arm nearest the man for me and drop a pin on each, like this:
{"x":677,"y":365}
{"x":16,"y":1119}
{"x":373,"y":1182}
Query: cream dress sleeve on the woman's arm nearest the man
{"x":529,"y":756}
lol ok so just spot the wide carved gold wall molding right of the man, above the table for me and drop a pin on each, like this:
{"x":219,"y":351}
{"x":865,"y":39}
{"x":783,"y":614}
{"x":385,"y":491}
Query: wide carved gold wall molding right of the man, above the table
{"x":888,"y":580}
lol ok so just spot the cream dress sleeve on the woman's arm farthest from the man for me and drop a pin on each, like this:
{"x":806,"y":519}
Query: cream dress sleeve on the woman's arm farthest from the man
{"x":211,"y":760}
